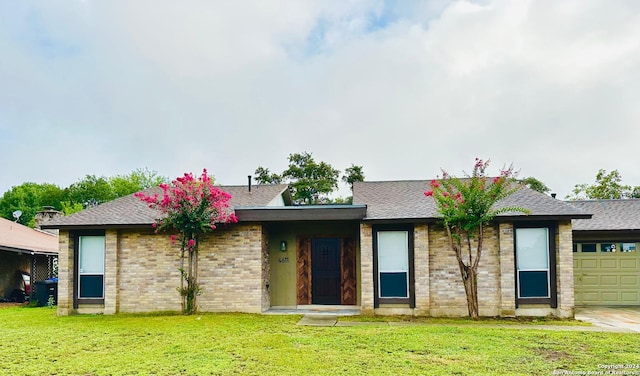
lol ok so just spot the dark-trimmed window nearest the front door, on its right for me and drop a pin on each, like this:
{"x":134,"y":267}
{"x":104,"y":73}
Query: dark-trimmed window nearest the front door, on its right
{"x":393,"y":265}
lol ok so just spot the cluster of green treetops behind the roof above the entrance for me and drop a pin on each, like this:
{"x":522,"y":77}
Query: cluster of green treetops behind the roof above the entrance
{"x":310,"y":181}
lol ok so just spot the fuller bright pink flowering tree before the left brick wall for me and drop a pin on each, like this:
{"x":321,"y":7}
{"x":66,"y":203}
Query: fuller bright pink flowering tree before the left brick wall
{"x":193,"y":207}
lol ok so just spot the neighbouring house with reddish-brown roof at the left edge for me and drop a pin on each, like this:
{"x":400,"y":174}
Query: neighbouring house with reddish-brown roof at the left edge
{"x":23,"y":249}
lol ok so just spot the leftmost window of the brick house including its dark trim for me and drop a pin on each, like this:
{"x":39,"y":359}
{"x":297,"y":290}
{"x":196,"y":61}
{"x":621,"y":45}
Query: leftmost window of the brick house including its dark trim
{"x":89,"y":267}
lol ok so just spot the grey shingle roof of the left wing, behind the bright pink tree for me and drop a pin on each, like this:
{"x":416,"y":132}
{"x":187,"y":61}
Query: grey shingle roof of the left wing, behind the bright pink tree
{"x":129,"y":210}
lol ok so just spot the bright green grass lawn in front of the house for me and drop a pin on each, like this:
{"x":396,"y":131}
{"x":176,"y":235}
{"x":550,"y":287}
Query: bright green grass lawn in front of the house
{"x":34,"y":341}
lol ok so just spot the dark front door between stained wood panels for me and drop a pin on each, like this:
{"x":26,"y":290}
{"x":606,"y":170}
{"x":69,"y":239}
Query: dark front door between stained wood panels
{"x":325,"y":271}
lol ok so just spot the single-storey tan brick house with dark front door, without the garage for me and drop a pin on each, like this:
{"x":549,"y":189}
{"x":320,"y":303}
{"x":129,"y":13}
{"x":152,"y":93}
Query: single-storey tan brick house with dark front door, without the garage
{"x":385,"y":254}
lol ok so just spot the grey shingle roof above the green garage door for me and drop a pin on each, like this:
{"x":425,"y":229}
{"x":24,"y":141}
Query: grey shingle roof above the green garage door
{"x":608,"y":215}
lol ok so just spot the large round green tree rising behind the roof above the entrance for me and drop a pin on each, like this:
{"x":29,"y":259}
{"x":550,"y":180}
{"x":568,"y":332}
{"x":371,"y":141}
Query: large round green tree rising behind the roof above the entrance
{"x":311,"y":181}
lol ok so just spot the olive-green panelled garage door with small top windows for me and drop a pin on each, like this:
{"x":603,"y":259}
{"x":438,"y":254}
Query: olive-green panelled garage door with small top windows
{"x":606,"y":274}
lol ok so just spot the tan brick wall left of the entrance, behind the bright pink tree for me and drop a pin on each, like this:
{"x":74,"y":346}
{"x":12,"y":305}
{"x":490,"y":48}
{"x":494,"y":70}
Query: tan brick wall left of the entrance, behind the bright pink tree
{"x":141,"y":272}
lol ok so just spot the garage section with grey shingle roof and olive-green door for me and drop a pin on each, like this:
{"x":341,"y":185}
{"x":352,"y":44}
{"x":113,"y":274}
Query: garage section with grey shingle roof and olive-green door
{"x":606,"y":255}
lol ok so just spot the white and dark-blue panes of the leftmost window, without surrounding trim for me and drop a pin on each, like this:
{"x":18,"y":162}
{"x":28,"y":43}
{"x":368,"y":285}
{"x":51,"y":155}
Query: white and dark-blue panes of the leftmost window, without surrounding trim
{"x":91,"y":267}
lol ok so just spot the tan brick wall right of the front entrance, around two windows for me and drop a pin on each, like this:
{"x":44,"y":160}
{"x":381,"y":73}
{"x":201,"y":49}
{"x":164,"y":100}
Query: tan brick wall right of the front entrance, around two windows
{"x":438,"y":286}
